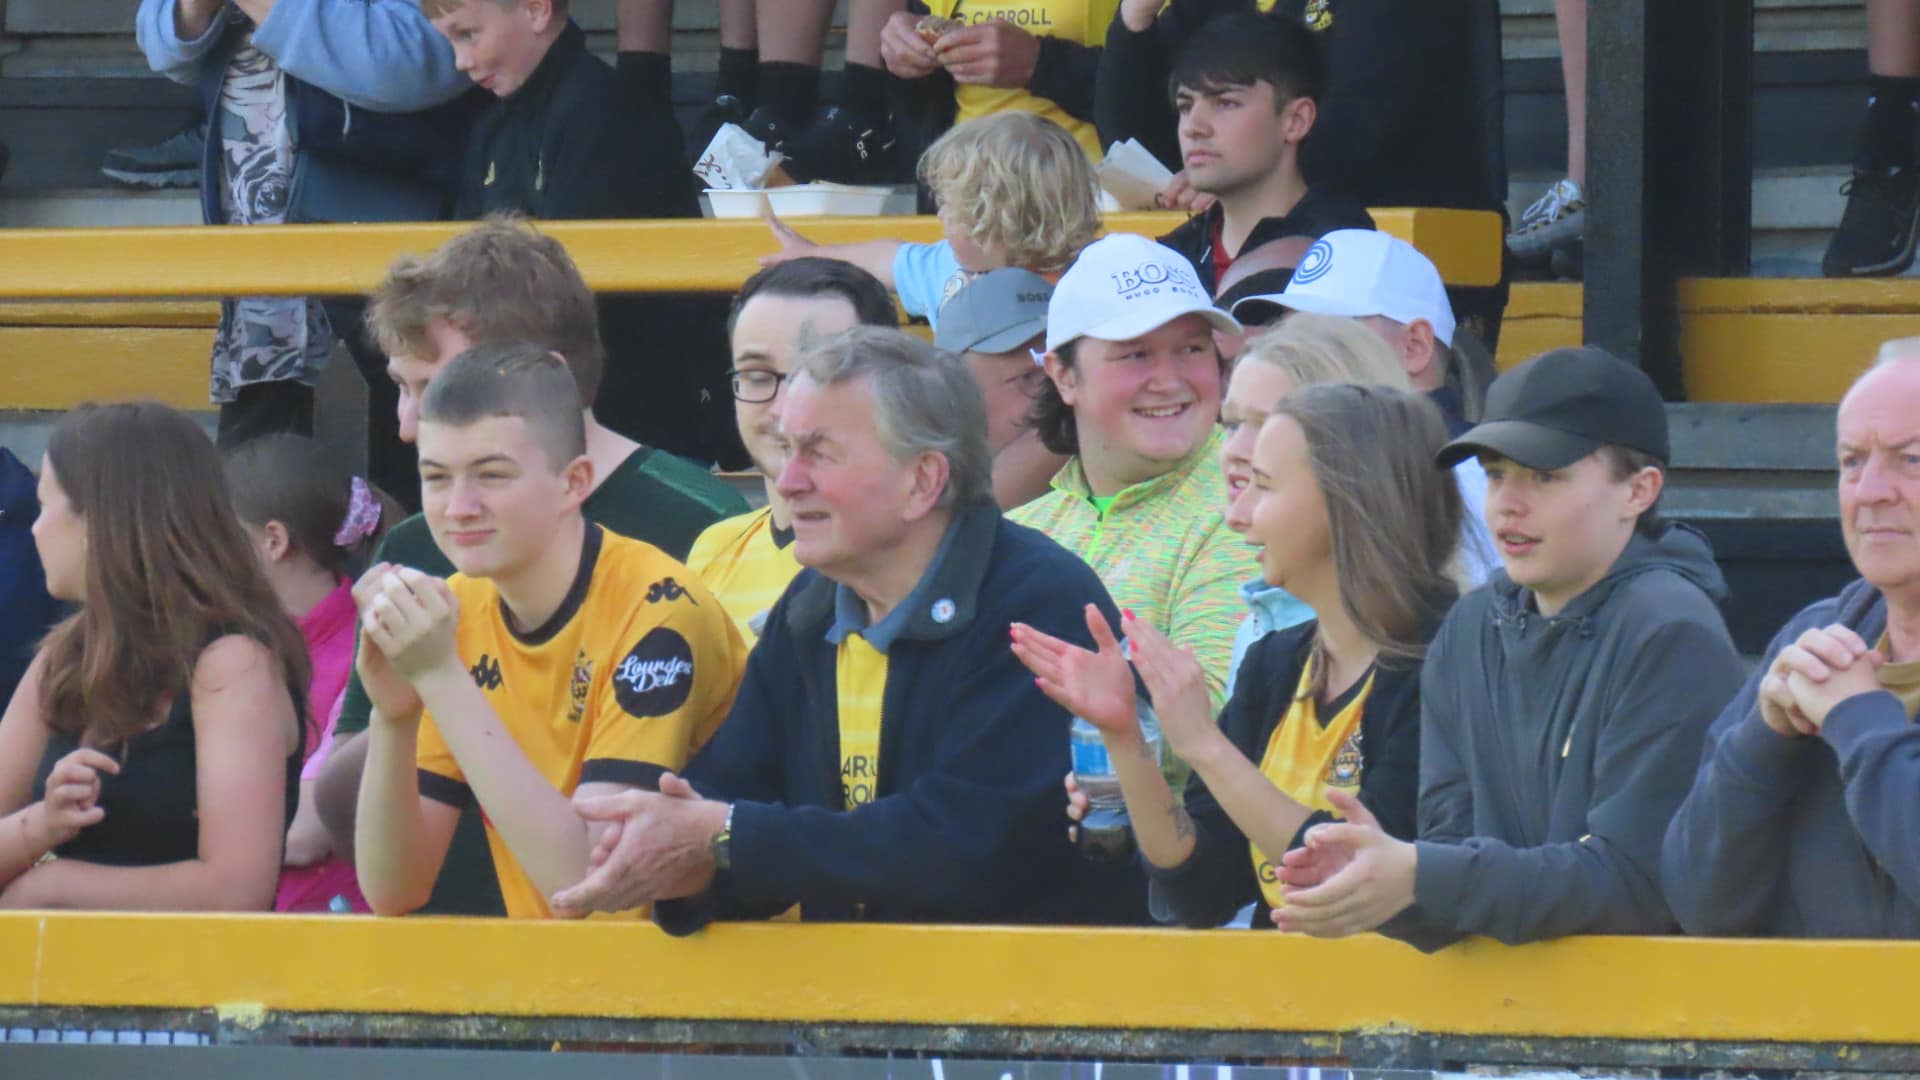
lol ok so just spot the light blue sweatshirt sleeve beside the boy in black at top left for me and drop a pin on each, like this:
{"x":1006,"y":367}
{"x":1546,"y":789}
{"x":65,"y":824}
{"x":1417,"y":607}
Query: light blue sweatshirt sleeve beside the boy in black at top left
{"x":372,"y":55}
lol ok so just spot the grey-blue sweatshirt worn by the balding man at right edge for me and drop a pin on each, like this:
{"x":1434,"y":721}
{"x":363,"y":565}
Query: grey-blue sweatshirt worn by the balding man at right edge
{"x":1804,"y":837}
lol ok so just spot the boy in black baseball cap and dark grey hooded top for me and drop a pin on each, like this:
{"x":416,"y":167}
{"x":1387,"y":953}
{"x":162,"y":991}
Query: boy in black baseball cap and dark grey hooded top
{"x":1562,"y":706}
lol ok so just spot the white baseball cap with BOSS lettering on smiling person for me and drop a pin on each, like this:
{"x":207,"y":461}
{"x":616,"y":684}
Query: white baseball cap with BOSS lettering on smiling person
{"x":1122,"y":287}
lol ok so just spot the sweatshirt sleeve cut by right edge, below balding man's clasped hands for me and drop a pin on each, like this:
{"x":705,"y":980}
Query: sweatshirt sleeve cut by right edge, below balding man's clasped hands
{"x":1881,"y":768}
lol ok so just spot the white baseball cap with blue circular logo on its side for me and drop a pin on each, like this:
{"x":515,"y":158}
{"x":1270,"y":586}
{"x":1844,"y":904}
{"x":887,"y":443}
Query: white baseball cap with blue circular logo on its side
{"x":1358,"y":272}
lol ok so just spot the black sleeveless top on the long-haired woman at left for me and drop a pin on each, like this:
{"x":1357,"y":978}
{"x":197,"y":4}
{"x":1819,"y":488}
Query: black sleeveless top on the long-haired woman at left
{"x":155,"y":800}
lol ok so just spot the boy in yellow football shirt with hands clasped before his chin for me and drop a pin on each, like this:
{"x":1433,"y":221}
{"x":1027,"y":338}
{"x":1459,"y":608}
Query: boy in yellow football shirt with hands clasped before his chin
{"x":560,"y":660}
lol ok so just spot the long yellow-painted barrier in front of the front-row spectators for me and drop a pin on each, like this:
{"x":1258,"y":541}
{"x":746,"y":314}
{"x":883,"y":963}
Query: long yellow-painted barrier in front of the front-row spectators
{"x":1606,"y":989}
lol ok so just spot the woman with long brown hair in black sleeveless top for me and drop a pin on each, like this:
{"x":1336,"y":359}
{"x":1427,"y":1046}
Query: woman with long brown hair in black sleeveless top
{"x":151,"y":758}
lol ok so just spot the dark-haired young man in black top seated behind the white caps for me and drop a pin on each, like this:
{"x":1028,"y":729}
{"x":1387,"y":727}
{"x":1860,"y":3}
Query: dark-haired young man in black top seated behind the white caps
{"x":1245,"y":89}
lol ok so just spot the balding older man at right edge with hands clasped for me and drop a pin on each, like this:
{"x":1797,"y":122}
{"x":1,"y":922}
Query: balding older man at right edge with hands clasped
{"x":1806,"y":816}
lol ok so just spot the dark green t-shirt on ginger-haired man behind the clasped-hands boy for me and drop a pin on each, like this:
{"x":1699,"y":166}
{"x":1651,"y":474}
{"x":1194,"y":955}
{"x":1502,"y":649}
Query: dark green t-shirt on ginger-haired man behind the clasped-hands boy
{"x":652,"y":497}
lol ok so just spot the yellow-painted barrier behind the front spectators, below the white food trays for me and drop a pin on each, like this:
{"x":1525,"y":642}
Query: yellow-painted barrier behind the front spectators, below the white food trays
{"x":60,"y":345}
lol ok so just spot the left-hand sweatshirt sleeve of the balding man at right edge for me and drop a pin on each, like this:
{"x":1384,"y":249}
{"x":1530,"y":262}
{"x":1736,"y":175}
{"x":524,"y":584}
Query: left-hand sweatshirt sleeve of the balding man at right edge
{"x":1725,"y":858}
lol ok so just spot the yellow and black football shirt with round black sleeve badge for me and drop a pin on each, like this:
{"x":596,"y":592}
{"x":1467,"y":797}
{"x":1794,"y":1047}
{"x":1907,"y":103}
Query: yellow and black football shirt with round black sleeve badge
{"x":629,"y":679}
